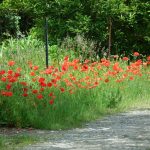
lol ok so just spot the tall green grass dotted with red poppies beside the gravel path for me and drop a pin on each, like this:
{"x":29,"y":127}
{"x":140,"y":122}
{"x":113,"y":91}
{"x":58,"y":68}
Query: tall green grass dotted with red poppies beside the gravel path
{"x":67,"y":95}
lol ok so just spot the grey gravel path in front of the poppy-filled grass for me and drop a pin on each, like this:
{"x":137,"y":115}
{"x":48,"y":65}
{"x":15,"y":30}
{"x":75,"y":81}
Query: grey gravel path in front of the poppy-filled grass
{"x":125,"y":131}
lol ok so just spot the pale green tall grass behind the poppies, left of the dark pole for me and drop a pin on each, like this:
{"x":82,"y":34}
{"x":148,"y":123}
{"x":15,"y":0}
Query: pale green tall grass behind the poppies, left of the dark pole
{"x":22,"y":50}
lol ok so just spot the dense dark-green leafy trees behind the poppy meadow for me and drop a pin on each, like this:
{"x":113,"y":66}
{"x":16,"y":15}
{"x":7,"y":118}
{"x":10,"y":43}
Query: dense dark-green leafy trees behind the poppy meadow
{"x":116,"y":25}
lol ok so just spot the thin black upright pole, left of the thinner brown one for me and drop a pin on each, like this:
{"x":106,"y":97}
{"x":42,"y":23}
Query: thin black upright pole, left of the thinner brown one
{"x":46,"y":41}
